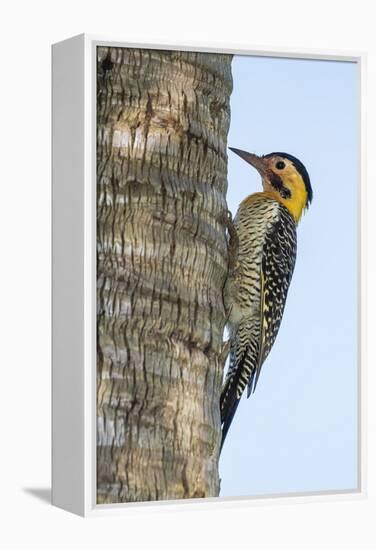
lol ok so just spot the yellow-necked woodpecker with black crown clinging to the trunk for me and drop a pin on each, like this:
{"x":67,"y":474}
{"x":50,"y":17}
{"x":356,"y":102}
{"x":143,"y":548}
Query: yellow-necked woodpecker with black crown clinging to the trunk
{"x":256,"y":289}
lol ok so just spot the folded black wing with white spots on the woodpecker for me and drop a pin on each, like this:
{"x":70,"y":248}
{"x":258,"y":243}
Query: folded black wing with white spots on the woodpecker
{"x":278,"y":262}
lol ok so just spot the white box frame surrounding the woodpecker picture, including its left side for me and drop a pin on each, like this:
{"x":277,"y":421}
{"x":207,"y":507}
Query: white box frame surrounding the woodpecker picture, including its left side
{"x":74,"y":277}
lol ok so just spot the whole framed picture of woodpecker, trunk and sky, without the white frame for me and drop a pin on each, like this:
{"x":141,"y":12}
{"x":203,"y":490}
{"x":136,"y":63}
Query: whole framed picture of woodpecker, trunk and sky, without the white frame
{"x":227,"y":275}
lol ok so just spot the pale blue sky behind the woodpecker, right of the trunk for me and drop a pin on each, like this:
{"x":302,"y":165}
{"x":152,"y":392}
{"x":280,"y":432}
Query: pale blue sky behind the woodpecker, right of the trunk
{"x":298,"y":431}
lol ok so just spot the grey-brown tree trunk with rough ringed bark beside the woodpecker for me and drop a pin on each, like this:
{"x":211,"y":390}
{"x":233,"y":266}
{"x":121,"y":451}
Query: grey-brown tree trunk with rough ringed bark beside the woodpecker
{"x":162,"y":123}
